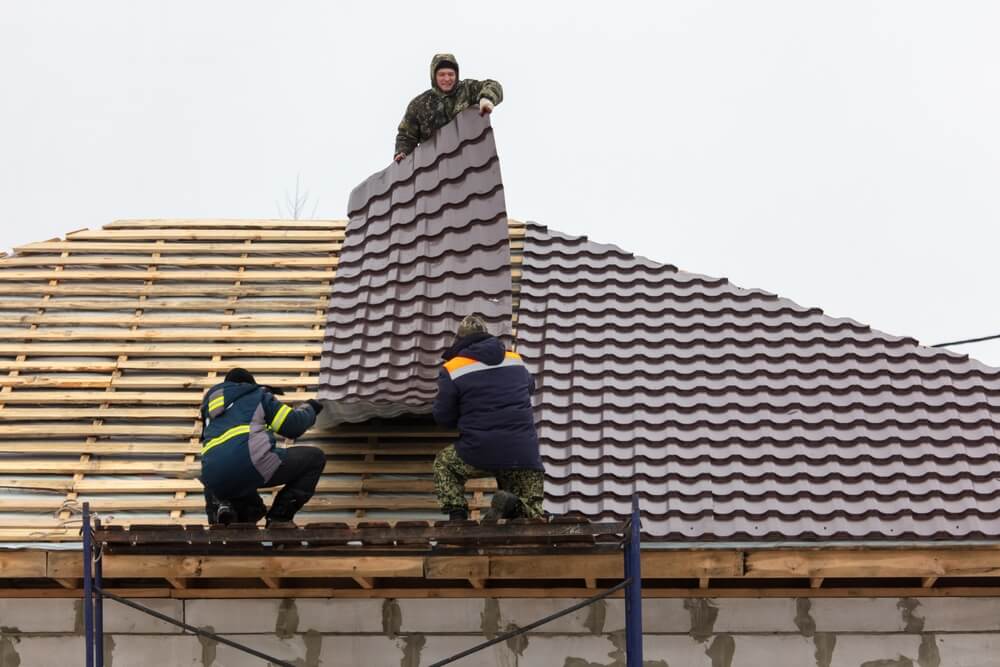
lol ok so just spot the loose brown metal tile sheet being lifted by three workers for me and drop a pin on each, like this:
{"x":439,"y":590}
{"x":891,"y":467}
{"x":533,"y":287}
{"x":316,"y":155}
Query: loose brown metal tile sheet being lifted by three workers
{"x":426,"y":245}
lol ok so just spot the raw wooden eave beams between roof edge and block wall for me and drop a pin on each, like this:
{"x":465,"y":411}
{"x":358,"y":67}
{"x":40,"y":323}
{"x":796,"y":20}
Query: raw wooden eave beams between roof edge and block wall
{"x":557,"y":575}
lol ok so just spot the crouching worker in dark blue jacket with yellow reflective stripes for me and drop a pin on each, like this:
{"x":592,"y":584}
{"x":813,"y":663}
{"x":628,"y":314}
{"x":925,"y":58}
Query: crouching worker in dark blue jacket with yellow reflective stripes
{"x":239,"y":453}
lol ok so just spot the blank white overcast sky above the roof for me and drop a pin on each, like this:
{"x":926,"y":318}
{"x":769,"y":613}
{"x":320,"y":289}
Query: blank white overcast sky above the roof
{"x":843,"y":154}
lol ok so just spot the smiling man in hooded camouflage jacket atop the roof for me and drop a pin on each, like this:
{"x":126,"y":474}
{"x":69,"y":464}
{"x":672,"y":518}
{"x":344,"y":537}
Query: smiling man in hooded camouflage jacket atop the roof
{"x":436,"y":107}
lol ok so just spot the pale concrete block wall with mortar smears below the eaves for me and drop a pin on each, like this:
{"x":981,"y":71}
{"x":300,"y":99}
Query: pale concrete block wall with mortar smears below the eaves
{"x":721,"y":632}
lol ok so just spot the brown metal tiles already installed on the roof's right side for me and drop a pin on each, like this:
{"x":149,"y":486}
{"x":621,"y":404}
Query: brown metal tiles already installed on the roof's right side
{"x":736,"y":414}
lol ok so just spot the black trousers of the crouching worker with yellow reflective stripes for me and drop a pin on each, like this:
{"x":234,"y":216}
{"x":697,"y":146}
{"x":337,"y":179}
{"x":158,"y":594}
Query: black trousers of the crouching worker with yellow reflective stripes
{"x":299,"y":473}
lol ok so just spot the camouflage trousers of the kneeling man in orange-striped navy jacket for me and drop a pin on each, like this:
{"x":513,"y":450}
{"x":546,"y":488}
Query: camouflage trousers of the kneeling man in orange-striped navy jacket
{"x":451,"y":472}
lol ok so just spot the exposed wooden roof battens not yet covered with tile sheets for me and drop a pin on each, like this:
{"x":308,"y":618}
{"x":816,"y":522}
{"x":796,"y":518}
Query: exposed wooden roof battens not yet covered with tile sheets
{"x":105,"y":368}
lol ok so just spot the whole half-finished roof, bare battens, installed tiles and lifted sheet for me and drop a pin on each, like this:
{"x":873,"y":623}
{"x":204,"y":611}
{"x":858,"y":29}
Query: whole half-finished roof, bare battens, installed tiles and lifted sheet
{"x":732,"y":414}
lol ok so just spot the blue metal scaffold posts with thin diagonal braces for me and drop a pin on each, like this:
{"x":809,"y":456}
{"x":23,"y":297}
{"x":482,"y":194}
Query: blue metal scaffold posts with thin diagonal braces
{"x":94,"y":594}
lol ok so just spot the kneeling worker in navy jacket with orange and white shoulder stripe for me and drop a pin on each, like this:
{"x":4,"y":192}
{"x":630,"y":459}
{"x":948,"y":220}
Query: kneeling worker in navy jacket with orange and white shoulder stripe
{"x":485,"y":392}
